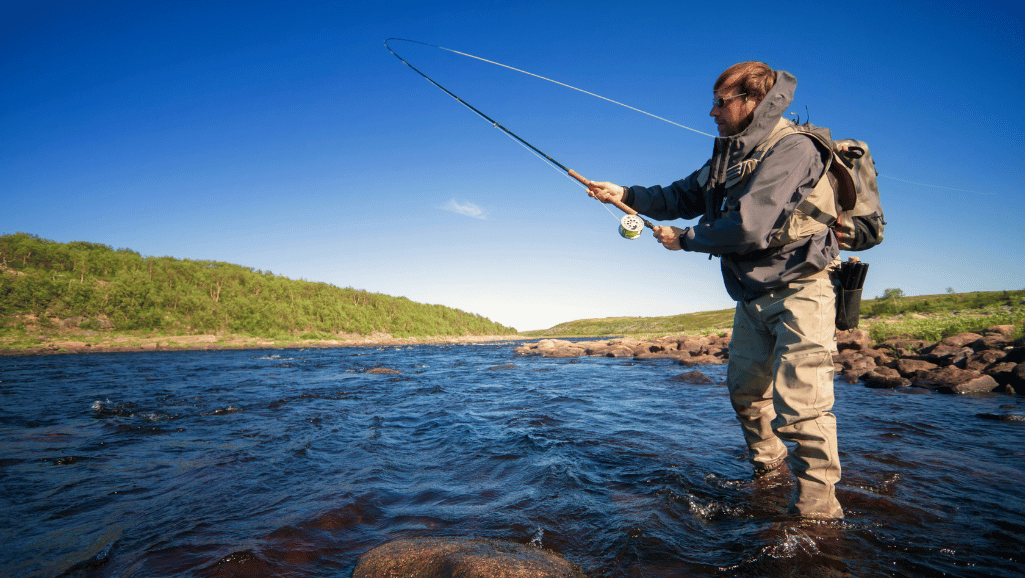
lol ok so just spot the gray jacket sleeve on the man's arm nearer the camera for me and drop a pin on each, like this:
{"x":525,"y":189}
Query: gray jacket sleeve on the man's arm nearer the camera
{"x":752,"y":215}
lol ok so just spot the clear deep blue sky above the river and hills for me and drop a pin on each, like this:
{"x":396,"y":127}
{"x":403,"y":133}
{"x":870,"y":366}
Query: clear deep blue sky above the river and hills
{"x":285,"y":137}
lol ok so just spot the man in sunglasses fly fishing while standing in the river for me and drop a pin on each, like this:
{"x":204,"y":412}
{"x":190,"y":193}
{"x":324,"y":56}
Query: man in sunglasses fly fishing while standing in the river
{"x":775,"y":263}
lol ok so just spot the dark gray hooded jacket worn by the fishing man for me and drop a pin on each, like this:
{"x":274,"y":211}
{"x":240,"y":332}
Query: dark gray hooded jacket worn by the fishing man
{"x":740,"y":222}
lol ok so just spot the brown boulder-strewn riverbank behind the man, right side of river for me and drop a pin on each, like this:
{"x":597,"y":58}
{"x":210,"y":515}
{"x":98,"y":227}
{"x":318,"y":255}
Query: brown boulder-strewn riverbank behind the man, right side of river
{"x":967,"y":363}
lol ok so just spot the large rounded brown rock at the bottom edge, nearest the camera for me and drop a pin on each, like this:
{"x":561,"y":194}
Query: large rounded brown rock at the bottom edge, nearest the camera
{"x":462,"y":558}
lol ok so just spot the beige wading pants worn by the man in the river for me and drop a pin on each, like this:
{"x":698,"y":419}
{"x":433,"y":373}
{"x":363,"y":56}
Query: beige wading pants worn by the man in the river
{"x":782,"y":386}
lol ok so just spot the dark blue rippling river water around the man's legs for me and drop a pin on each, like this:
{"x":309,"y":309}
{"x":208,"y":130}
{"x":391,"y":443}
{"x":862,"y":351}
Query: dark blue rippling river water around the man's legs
{"x":295,"y":463}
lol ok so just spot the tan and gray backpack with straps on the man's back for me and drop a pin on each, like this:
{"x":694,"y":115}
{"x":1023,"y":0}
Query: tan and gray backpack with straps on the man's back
{"x":846,"y":200}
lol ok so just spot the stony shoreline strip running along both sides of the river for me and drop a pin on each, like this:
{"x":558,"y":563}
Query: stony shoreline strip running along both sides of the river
{"x":968,"y":363}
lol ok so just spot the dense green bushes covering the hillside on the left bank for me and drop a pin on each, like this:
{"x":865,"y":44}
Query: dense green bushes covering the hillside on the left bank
{"x":47,"y":281}
